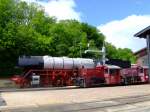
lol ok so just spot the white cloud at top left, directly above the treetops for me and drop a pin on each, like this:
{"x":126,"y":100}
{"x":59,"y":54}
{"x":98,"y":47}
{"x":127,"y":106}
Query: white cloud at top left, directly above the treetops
{"x":61,"y":9}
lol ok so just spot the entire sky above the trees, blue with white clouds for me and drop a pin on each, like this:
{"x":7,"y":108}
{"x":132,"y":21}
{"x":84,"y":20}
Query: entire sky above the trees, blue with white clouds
{"x":118,"y":20}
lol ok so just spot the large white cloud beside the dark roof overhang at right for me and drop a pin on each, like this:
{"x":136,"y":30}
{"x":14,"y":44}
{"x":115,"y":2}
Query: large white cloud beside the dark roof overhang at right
{"x":120,"y":32}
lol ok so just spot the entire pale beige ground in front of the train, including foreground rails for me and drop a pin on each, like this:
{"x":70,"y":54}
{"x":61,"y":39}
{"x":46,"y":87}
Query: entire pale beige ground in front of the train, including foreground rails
{"x":100,"y":99}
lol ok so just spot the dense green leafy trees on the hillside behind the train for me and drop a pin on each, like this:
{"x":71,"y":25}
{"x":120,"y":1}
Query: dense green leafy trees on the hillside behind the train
{"x":25,"y":29}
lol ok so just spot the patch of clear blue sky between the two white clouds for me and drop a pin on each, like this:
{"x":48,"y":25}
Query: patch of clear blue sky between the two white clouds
{"x":98,"y":12}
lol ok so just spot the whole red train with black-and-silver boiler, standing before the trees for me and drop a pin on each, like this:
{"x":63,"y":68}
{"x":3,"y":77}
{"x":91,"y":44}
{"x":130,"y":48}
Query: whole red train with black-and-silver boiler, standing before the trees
{"x":46,"y":71}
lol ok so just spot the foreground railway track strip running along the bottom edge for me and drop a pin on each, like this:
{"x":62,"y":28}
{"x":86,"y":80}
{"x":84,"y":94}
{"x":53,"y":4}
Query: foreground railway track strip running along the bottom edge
{"x":139,"y":103}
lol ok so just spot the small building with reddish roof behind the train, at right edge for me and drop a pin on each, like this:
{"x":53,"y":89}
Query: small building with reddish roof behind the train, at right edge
{"x":142,"y":57}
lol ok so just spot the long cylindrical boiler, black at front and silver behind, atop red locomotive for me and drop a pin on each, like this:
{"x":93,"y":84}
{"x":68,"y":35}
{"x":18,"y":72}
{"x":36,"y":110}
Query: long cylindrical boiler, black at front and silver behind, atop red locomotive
{"x":48,"y":62}
